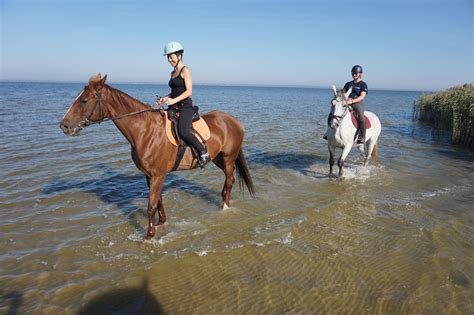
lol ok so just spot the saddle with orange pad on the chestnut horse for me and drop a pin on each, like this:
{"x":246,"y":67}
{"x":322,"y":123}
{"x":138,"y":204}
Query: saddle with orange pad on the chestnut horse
{"x":200,"y":129}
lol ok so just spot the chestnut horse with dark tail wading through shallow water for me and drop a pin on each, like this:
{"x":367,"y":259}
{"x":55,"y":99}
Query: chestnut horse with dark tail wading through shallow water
{"x":152,"y":152}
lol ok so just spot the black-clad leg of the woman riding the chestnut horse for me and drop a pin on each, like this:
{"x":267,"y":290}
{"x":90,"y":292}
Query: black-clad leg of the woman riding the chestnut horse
{"x":185,"y":131}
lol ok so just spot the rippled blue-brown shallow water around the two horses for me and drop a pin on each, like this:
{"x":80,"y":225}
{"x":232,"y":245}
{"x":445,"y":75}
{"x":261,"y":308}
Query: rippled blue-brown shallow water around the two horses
{"x":396,"y":237}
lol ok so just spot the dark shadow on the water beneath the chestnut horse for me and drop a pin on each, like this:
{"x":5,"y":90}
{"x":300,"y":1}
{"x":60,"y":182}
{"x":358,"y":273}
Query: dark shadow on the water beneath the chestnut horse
{"x":122,"y":190}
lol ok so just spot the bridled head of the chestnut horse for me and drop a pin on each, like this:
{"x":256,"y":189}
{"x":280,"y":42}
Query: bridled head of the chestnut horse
{"x":86,"y":109}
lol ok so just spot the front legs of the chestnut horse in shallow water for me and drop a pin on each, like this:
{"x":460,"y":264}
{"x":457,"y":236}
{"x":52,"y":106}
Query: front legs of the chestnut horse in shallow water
{"x":154,"y":204}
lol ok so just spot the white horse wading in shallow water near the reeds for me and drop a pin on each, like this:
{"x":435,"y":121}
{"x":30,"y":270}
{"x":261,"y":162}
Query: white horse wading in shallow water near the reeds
{"x":342,"y":133}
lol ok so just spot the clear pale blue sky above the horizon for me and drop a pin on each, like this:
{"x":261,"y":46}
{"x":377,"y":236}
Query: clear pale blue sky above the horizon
{"x":402,"y":44}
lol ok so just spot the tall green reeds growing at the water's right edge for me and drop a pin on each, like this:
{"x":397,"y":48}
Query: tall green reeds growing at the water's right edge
{"x":452,"y":109}
